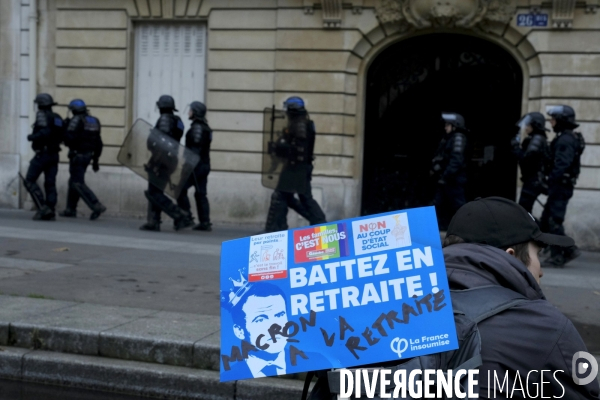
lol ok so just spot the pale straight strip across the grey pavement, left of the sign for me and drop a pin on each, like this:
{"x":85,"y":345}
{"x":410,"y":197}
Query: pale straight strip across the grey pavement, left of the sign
{"x":124,"y":242}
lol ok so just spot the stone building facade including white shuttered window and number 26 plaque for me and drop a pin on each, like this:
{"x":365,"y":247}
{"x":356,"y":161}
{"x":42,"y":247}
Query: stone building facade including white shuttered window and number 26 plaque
{"x":251,"y":54}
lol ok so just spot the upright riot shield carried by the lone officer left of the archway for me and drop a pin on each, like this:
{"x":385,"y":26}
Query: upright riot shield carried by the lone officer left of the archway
{"x":274,"y":124}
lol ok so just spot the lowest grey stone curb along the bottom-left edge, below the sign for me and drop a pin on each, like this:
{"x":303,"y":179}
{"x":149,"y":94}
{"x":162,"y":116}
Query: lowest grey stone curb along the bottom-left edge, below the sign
{"x":136,"y":378}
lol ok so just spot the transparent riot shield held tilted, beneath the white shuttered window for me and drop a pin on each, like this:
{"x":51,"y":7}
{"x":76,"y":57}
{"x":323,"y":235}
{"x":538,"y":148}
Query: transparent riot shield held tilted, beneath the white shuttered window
{"x":157,"y":157}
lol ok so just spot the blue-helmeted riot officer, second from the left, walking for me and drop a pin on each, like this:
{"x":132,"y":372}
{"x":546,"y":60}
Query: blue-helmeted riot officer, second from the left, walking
{"x":82,"y":136}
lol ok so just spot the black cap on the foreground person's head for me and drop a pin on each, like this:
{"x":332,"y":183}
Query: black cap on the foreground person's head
{"x":500,"y":223}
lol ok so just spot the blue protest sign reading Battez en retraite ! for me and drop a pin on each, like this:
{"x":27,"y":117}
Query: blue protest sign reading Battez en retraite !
{"x":336,"y":295}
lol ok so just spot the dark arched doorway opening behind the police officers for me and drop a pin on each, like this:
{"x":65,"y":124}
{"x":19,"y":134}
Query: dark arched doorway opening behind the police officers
{"x":408,"y":86}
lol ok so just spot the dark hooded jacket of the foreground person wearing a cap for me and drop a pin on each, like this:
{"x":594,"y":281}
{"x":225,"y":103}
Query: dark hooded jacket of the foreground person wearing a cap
{"x":530,"y":336}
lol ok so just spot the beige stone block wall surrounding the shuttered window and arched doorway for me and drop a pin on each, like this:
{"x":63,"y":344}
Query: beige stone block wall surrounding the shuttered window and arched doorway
{"x":262,"y":51}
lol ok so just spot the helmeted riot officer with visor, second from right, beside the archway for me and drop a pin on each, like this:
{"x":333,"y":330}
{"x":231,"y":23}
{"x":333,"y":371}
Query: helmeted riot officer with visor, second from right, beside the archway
{"x":533,"y":156}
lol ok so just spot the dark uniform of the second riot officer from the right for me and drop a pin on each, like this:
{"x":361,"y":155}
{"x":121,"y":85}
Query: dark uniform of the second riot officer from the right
{"x":533,"y":155}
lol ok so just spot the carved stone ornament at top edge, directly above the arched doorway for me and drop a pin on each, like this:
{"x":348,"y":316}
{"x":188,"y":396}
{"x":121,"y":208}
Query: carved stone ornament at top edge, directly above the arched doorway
{"x":445,"y":13}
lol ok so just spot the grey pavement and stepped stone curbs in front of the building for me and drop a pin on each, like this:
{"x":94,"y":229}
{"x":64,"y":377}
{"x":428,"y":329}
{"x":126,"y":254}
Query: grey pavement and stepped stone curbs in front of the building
{"x":103,"y":305}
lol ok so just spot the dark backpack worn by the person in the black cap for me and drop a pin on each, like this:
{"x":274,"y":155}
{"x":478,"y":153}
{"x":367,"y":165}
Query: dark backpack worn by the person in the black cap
{"x":470,"y":306}
